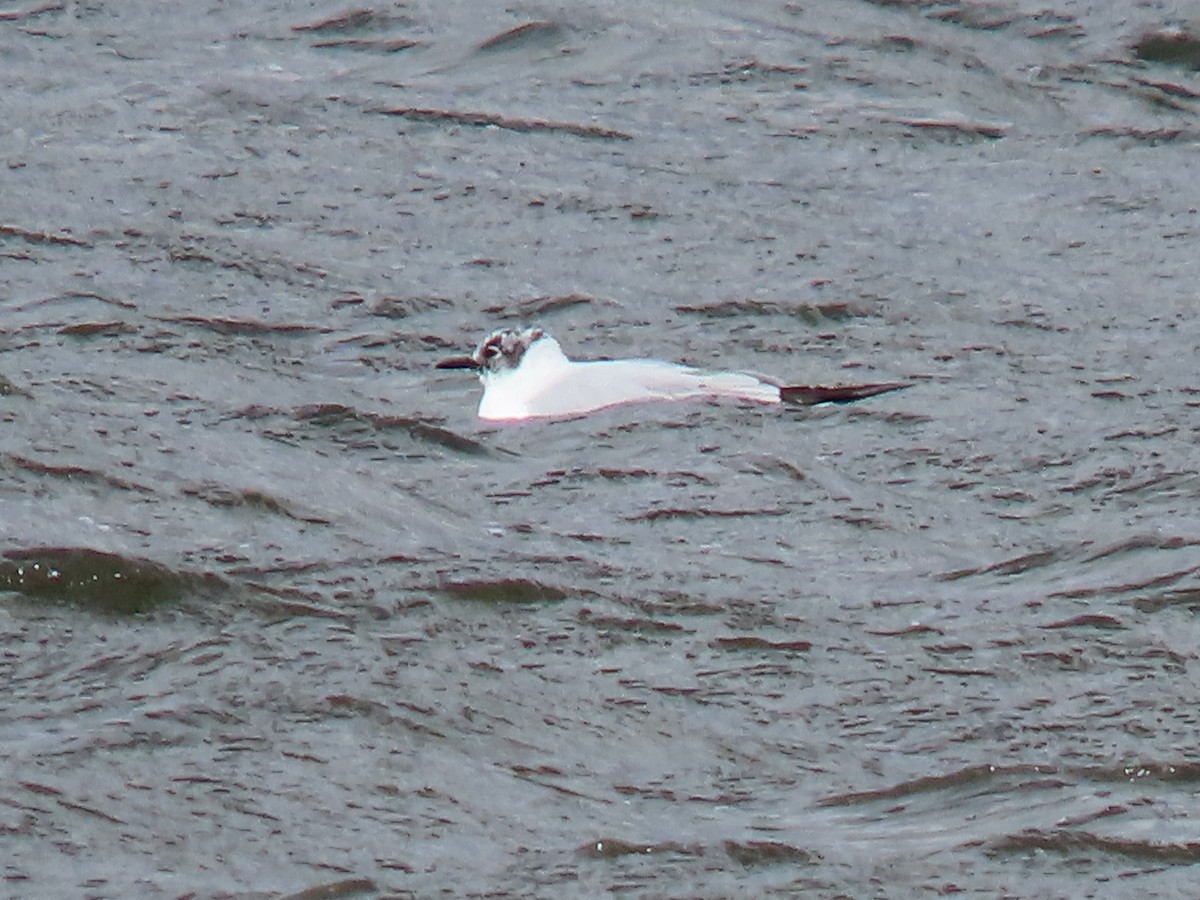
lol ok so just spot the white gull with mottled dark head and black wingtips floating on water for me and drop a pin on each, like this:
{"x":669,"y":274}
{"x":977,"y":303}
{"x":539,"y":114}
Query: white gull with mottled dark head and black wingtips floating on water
{"x":527,"y":376}
